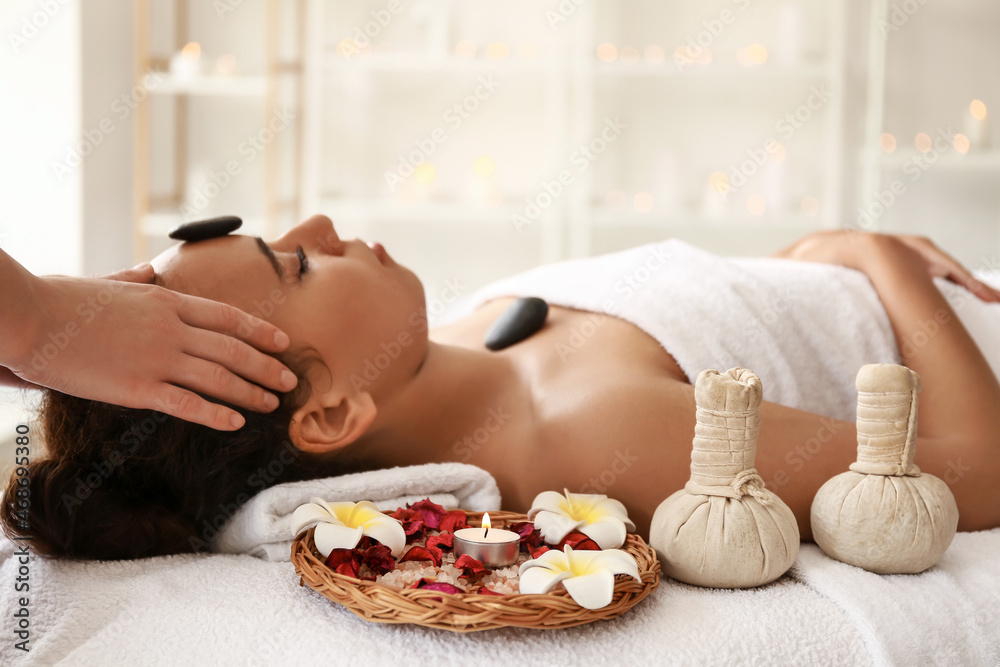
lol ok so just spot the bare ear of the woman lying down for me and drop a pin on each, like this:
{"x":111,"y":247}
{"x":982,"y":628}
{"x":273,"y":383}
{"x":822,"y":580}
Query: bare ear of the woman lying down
{"x":329,"y":422}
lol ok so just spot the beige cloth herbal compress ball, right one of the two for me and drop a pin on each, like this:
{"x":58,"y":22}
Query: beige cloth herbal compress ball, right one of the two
{"x":885,"y":515}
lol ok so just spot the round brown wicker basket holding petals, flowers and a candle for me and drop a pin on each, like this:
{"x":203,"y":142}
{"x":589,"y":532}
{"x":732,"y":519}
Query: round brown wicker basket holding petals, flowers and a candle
{"x":470,"y":612}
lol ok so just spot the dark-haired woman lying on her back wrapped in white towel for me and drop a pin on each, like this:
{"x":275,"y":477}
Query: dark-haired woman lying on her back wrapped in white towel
{"x":598,"y":400}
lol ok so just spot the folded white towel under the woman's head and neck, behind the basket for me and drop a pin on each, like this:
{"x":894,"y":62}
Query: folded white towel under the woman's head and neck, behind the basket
{"x":262,"y":527}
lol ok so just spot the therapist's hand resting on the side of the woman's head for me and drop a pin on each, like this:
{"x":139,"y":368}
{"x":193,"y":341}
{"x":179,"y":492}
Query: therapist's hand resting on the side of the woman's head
{"x":118,"y":340}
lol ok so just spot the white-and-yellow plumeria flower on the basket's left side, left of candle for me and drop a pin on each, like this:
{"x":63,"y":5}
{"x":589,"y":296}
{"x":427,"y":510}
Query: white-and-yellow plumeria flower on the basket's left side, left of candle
{"x":342,"y":525}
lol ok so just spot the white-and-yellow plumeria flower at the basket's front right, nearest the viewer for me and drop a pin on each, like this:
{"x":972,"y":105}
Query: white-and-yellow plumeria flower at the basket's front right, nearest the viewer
{"x":588,"y":576}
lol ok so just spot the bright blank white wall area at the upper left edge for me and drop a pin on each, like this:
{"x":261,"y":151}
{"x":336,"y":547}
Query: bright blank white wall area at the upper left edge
{"x":40,"y":221}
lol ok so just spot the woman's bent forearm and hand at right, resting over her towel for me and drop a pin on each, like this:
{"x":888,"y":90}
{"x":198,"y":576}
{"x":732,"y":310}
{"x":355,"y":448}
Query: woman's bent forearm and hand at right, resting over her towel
{"x":958,"y":420}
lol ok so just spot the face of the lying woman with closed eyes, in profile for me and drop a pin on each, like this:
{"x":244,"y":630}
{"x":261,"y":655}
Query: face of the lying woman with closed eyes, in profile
{"x":363,"y":313}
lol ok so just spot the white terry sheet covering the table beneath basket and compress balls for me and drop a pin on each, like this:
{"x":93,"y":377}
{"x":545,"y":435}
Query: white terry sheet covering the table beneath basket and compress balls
{"x":239,"y":610}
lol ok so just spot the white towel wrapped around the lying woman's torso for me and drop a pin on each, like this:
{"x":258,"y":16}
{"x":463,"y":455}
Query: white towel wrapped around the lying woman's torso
{"x":804,"y":328}
